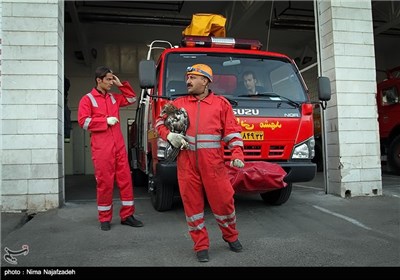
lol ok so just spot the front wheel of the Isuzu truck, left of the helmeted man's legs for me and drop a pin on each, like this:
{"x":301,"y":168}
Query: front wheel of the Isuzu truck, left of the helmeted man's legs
{"x":162,"y":195}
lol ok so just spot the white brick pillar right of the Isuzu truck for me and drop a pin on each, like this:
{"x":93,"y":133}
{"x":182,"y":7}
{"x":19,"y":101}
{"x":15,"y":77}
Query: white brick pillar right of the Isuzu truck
{"x":348,"y":59}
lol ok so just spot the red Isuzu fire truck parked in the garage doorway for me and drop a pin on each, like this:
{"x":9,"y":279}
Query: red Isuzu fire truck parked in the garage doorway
{"x":277,"y":124}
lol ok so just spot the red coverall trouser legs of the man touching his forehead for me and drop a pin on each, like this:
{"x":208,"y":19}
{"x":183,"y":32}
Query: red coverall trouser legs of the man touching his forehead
{"x":110,"y":165}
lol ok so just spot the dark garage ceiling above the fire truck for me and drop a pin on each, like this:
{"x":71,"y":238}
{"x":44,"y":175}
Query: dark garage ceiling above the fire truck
{"x":281,"y":26}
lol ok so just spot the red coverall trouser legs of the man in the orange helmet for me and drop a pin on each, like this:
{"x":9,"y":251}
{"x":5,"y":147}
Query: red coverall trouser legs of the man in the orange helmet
{"x":210,"y":179}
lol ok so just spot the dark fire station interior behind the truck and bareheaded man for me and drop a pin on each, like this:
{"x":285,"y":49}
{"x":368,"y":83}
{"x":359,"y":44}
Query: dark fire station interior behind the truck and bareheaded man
{"x":116,"y":34}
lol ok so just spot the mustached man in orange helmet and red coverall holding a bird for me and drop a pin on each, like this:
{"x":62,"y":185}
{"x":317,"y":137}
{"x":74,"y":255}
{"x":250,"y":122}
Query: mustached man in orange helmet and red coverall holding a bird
{"x":201,"y":167}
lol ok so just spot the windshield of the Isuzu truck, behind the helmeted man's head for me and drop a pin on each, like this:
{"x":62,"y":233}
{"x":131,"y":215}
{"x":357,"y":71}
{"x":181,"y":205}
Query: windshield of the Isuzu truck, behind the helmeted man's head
{"x":234,"y":74}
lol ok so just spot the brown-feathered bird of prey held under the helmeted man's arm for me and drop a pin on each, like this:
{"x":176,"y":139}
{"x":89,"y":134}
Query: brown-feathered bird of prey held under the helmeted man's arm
{"x":177,"y":121}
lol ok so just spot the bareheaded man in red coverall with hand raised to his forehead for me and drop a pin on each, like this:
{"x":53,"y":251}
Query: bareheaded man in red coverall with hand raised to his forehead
{"x":98,"y":112}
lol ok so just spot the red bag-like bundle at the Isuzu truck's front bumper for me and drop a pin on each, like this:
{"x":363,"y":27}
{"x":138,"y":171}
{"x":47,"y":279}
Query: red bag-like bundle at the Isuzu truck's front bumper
{"x":256,"y":177}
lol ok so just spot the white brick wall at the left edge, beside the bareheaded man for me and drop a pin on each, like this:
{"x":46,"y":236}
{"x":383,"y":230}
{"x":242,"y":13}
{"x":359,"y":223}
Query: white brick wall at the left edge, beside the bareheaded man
{"x":32,"y":103}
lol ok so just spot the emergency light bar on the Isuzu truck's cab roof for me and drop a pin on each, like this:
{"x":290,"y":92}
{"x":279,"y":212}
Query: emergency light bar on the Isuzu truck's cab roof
{"x":217,"y":42}
